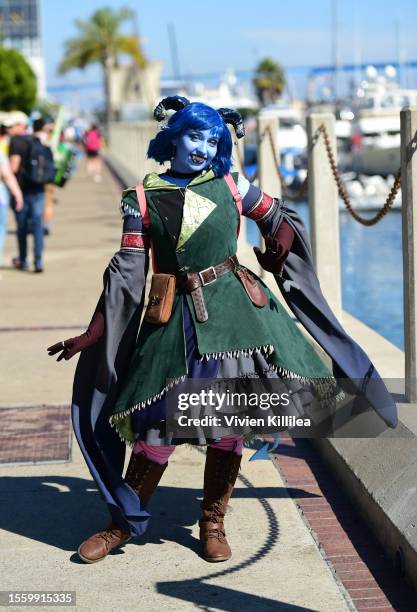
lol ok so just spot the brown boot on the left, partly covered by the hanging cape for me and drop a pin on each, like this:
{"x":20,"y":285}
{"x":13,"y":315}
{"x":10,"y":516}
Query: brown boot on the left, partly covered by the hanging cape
{"x":143,"y":476}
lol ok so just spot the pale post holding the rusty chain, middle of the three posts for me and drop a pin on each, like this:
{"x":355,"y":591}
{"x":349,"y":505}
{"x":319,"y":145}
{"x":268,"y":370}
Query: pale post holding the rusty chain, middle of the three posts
{"x":324,"y":210}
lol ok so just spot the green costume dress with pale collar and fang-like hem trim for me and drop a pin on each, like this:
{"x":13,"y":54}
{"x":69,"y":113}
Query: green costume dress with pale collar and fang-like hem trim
{"x":235,"y":326}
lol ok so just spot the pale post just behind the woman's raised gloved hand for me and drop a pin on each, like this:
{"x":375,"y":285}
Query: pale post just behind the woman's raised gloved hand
{"x":267,"y":172}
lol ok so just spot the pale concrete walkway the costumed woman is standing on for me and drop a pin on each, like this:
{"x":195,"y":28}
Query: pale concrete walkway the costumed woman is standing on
{"x":46,"y":510}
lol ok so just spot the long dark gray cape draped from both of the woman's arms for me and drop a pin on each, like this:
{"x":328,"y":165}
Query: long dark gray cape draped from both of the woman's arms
{"x":101,"y":367}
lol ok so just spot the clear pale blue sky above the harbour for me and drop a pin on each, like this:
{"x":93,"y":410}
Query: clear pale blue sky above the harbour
{"x":216,"y":35}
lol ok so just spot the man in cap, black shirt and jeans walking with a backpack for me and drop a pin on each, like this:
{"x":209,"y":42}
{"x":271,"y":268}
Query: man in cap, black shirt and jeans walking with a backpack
{"x":32,"y":163}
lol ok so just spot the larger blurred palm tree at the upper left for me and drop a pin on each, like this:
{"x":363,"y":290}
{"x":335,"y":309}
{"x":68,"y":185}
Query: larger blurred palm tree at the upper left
{"x":100,"y":41}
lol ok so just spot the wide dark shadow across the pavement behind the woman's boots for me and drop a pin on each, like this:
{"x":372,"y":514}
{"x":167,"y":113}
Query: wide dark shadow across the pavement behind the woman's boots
{"x":62,"y":511}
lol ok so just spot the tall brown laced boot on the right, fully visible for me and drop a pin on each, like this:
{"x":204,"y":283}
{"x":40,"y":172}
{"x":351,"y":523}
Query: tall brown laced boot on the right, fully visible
{"x":220,"y":475}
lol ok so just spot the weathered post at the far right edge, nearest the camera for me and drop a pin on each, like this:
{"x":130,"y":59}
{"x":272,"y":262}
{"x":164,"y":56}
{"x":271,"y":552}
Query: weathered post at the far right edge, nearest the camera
{"x":409,"y":231}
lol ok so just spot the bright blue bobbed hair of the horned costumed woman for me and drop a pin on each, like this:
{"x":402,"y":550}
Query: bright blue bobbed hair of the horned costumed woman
{"x":197,"y":116}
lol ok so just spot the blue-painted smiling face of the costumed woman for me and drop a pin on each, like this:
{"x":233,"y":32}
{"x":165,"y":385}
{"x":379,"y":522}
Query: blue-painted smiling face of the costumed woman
{"x":194,"y":150}
